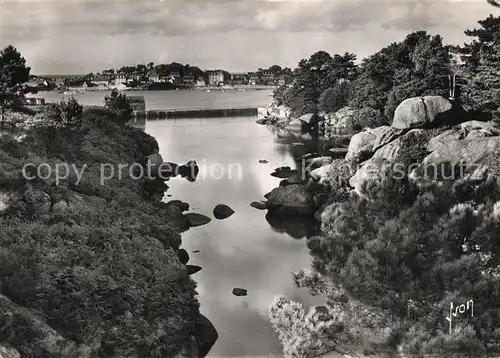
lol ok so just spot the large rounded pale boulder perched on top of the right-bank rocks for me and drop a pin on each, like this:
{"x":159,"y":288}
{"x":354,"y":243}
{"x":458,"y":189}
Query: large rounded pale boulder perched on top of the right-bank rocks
{"x":426,"y":111}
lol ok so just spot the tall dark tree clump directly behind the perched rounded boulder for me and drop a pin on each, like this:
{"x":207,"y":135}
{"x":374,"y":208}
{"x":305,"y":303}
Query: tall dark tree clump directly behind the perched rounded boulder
{"x":419,"y":65}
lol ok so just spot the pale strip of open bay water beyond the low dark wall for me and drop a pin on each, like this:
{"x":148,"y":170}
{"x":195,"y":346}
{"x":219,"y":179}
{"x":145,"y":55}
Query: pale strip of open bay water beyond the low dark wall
{"x":176,"y":99}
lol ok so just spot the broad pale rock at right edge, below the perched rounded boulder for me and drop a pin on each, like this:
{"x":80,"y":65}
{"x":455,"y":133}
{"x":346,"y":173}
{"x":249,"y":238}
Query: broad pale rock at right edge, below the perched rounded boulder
{"x":458,"y":157}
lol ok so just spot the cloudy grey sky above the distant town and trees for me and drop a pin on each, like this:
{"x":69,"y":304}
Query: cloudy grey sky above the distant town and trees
{"x":83,"y":36}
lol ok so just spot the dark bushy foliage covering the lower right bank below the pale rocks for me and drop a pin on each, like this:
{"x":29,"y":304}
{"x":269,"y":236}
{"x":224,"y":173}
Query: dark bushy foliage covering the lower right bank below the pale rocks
{"x":410,"y":251}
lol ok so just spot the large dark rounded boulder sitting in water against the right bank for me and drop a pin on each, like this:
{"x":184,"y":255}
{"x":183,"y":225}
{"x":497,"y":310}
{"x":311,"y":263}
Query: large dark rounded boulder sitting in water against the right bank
{"x":292,"y":200}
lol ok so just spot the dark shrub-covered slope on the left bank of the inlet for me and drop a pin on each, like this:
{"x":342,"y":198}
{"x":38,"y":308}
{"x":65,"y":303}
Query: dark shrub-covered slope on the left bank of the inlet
{"x":102,"y":274}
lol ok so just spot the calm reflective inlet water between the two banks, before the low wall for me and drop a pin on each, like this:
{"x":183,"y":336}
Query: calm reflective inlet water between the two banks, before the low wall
{"x":244,"y":250}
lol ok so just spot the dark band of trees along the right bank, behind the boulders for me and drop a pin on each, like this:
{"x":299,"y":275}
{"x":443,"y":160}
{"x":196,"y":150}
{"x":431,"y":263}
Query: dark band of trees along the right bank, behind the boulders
{"x":418,"y":65}
